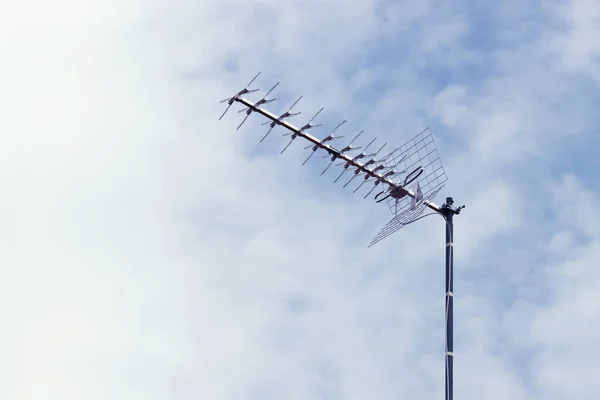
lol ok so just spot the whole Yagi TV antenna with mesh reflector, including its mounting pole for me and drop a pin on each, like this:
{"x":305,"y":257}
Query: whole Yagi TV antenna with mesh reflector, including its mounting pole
{"x":408,"y":178}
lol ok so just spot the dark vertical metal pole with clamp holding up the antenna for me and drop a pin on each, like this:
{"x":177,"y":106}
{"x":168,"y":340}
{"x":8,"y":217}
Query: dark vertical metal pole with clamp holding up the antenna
{"x":448,"y":212}
